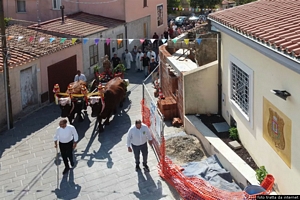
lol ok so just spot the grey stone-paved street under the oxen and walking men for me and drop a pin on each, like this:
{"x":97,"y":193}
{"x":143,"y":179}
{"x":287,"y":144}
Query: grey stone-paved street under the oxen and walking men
{"x":104,"y":168}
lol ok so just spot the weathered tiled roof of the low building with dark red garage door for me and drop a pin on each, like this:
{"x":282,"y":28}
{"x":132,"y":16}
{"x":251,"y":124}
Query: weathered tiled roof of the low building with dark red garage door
{"x":23,"y":51}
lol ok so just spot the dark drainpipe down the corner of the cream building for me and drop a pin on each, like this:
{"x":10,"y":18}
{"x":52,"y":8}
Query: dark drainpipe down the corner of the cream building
{"x":219,"y":69}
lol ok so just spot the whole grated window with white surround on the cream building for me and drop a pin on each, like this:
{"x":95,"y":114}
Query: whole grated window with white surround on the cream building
{"x":241,"y":87}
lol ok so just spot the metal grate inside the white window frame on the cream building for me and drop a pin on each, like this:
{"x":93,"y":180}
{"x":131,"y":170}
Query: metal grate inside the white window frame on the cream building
{"x":240,"y":88}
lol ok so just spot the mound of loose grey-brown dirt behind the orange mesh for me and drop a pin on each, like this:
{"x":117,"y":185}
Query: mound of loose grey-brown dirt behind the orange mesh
{"x":184,"y":149}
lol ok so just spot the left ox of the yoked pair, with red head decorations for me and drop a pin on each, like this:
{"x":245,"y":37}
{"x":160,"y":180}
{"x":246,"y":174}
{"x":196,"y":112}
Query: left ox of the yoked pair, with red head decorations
{"x":71,"y":106}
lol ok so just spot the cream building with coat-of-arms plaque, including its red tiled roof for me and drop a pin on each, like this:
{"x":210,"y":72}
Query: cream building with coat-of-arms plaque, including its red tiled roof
{"x":260,"y":63}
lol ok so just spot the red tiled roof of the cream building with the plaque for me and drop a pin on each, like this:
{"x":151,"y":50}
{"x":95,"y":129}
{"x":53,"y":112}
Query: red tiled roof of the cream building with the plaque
{"x":275,"y":23}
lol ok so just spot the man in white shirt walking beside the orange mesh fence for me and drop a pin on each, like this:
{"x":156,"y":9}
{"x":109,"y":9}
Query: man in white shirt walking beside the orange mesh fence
{"x":138,"y":135}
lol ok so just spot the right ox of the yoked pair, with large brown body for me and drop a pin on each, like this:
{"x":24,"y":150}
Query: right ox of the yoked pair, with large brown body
{"x":114,"y":95}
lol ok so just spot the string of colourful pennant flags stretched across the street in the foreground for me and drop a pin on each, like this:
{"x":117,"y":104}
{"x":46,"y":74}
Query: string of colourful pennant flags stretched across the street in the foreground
{"x":97,"y":40}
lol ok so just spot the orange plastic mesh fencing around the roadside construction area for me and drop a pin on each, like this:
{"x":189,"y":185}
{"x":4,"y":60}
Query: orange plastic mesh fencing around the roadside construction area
{"x":192,"y":188}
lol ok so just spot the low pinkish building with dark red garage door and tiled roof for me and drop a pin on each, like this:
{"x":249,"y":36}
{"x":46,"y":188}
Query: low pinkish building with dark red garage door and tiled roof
{"x":35,"y":65}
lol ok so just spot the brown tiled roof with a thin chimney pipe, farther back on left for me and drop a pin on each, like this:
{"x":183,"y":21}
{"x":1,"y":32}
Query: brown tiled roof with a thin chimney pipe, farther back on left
{"x":78,"y":25}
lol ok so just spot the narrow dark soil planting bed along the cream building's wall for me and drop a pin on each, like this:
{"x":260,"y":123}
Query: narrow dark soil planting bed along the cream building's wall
{"x":224,"y":136}
